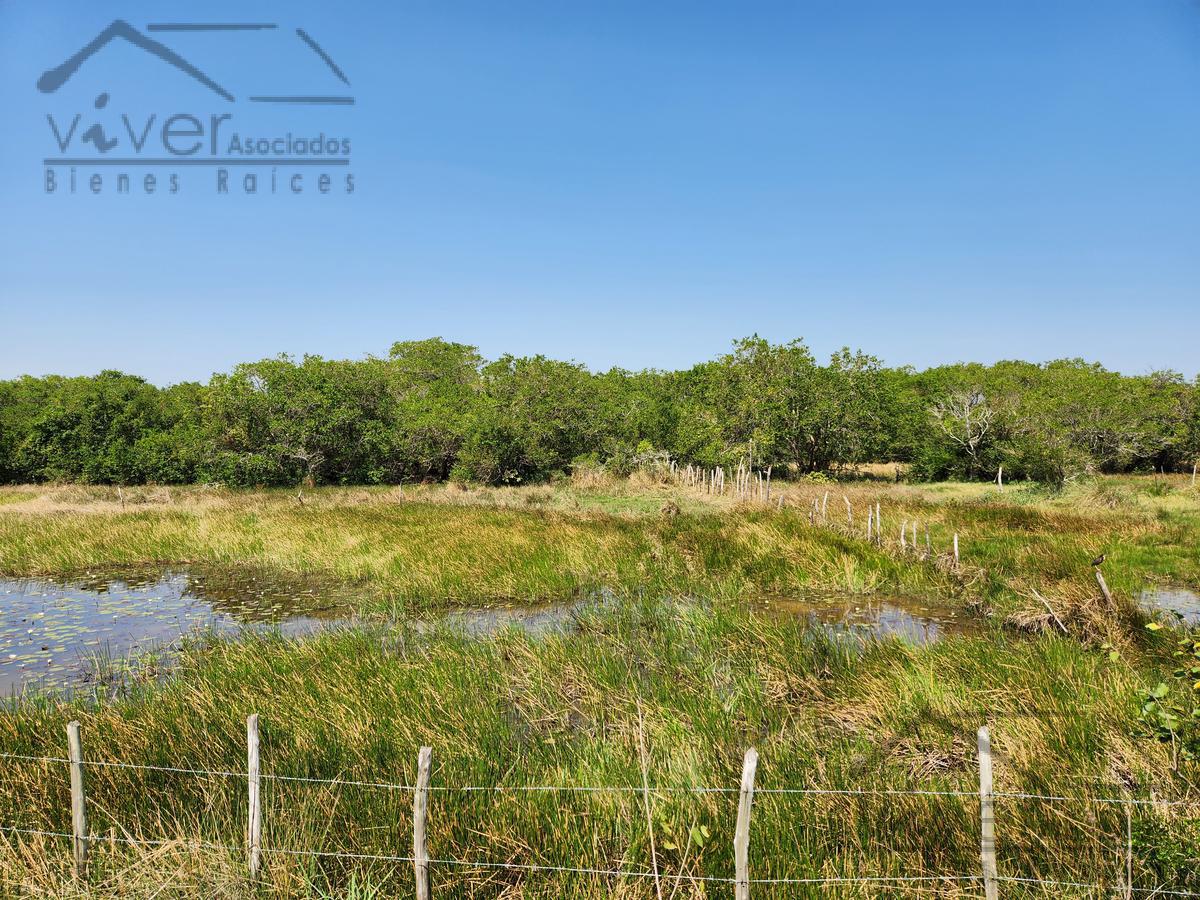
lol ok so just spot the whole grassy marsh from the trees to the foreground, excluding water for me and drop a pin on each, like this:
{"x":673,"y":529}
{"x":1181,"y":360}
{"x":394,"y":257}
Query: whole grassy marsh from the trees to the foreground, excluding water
{"x":650,"y":677}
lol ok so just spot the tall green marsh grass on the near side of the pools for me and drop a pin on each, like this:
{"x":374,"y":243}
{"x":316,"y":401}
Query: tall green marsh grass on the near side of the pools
{"x":563,"y":710}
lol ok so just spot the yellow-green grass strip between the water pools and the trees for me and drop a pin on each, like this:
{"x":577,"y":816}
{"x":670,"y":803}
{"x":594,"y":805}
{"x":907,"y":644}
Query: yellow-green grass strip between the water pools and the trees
{"x":440,"y":545}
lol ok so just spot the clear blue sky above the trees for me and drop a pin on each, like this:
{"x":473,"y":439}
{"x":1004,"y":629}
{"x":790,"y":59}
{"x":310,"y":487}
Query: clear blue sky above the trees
{"x":628,"y":184}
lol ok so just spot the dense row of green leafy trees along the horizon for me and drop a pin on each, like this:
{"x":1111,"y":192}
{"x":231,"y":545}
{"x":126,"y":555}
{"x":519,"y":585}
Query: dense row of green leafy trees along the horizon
{"x":435,"y":410}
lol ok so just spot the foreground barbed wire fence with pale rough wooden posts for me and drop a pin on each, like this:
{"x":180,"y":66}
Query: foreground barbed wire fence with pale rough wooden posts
{"x":988,"y":877}
